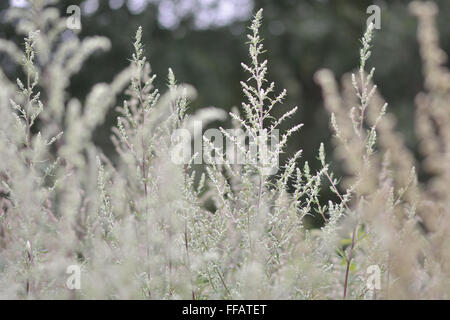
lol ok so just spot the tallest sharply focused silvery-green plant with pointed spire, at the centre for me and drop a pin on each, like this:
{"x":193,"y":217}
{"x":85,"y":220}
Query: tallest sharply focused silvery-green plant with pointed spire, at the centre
{"x":257,"y":225}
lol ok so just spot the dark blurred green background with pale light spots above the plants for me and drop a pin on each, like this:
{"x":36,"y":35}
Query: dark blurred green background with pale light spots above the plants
{"x":203,"y":41}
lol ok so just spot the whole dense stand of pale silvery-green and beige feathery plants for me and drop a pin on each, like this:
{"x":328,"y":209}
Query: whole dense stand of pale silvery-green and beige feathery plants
{"x":142,"y":225}
